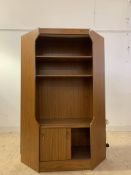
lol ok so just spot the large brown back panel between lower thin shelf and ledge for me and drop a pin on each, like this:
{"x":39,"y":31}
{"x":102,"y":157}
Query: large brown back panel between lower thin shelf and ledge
{"x":64,"y":98}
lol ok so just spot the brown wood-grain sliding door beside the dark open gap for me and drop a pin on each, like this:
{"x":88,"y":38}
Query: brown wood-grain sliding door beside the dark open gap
{"x":54,"y":144}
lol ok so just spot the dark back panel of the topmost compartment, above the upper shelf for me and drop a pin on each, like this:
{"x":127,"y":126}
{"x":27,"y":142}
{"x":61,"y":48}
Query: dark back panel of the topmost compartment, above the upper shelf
{"x":63,"y":46}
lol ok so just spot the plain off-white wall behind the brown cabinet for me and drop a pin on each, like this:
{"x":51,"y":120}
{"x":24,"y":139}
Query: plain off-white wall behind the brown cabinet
{"x":111,"y":18}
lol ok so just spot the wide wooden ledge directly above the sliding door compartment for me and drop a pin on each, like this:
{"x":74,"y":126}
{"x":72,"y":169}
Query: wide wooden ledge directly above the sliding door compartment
{"x":68,"y":123}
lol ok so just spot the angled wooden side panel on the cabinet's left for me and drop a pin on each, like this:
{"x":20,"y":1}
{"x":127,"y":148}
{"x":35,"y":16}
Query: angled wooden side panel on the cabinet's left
{"x":29,"y":125}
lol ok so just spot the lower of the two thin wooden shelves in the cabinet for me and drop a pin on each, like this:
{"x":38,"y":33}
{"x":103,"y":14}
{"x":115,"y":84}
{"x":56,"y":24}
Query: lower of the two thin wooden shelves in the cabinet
{"x":63,"y":76}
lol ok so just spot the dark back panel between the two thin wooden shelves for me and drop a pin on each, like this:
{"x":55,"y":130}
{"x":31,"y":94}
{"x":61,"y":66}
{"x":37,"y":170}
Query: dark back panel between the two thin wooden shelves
{"x":64,"y":68}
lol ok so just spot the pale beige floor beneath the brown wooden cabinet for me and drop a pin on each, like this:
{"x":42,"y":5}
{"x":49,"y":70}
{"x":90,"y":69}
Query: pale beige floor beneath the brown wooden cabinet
{"x":118,"y":160}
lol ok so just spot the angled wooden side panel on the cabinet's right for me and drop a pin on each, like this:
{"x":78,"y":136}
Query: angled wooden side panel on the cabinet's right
{"x":98,"y":133}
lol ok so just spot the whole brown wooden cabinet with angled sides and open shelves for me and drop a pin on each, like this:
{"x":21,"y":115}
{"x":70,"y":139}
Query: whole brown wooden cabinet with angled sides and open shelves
{"x":62,"y":100}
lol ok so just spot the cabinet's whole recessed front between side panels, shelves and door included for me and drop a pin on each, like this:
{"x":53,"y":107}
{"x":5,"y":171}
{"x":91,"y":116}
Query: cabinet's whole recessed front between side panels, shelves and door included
{"x":64,"y":96}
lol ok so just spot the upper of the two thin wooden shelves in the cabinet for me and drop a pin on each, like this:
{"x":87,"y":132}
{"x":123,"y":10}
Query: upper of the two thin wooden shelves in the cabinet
{"x":63,"y":58}
